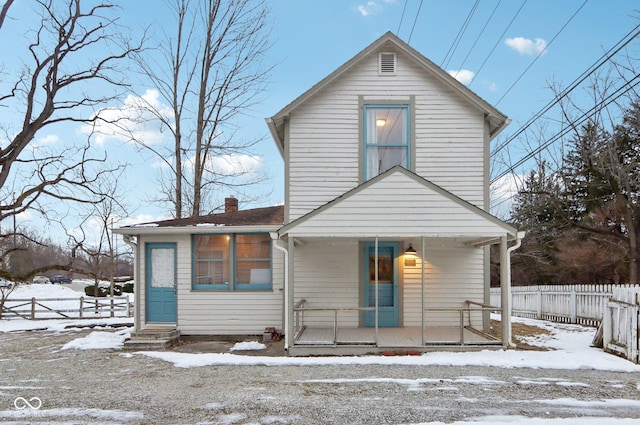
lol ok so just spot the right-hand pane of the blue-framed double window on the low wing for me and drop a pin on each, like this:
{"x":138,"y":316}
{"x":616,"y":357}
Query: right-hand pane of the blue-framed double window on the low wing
{"x":253,"y":259}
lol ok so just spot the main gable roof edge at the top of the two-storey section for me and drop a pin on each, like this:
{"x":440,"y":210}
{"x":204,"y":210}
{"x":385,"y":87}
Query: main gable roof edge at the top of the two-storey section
{"x":497,"y":120}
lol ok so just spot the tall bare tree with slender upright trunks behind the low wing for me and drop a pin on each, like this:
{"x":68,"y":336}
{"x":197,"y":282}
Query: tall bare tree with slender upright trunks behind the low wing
{"x":211,"y":74}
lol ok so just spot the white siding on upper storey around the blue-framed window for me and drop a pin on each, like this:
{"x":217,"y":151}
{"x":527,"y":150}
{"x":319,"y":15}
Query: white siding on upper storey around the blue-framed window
{"x":324,"y":135}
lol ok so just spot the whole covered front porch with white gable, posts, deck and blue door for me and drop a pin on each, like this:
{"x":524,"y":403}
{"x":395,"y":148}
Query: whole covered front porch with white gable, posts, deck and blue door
{"x":397,"y":264}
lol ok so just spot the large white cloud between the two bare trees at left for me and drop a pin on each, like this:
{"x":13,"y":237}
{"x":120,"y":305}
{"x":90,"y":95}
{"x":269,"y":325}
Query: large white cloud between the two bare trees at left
{"x":132,"y":120}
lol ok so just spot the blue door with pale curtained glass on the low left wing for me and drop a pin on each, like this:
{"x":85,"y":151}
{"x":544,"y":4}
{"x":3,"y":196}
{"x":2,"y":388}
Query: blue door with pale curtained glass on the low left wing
{"x":161,"y":282}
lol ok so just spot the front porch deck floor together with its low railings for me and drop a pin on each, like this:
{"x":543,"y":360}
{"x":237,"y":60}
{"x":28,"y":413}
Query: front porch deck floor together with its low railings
{"x":317,"y":340}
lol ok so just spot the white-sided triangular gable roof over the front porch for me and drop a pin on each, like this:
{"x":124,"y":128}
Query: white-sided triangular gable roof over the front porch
{"x":400,"y":204}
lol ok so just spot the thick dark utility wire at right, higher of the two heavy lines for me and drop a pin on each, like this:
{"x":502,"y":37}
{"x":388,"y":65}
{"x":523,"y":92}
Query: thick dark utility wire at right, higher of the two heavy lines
{"x":614,"y":50}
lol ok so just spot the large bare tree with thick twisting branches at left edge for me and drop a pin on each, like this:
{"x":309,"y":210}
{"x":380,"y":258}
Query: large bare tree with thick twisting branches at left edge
{"x":71,"y":65}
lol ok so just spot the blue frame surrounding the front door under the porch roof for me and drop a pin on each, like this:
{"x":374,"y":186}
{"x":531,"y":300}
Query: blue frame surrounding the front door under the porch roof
{"x":387,"y":316}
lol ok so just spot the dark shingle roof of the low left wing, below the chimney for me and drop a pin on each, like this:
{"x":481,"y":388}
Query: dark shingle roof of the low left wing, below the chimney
{"x":253,"y":217}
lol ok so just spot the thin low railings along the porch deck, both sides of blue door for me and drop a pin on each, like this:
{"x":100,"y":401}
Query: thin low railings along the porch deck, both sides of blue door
{"x":468,"y":310}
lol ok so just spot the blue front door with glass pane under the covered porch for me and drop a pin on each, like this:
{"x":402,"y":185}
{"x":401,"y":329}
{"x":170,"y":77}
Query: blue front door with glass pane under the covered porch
{"x":387,"y":277}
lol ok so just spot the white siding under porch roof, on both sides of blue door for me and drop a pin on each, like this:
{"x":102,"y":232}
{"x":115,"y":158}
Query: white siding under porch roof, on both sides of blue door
{"x":328,"y":275}
